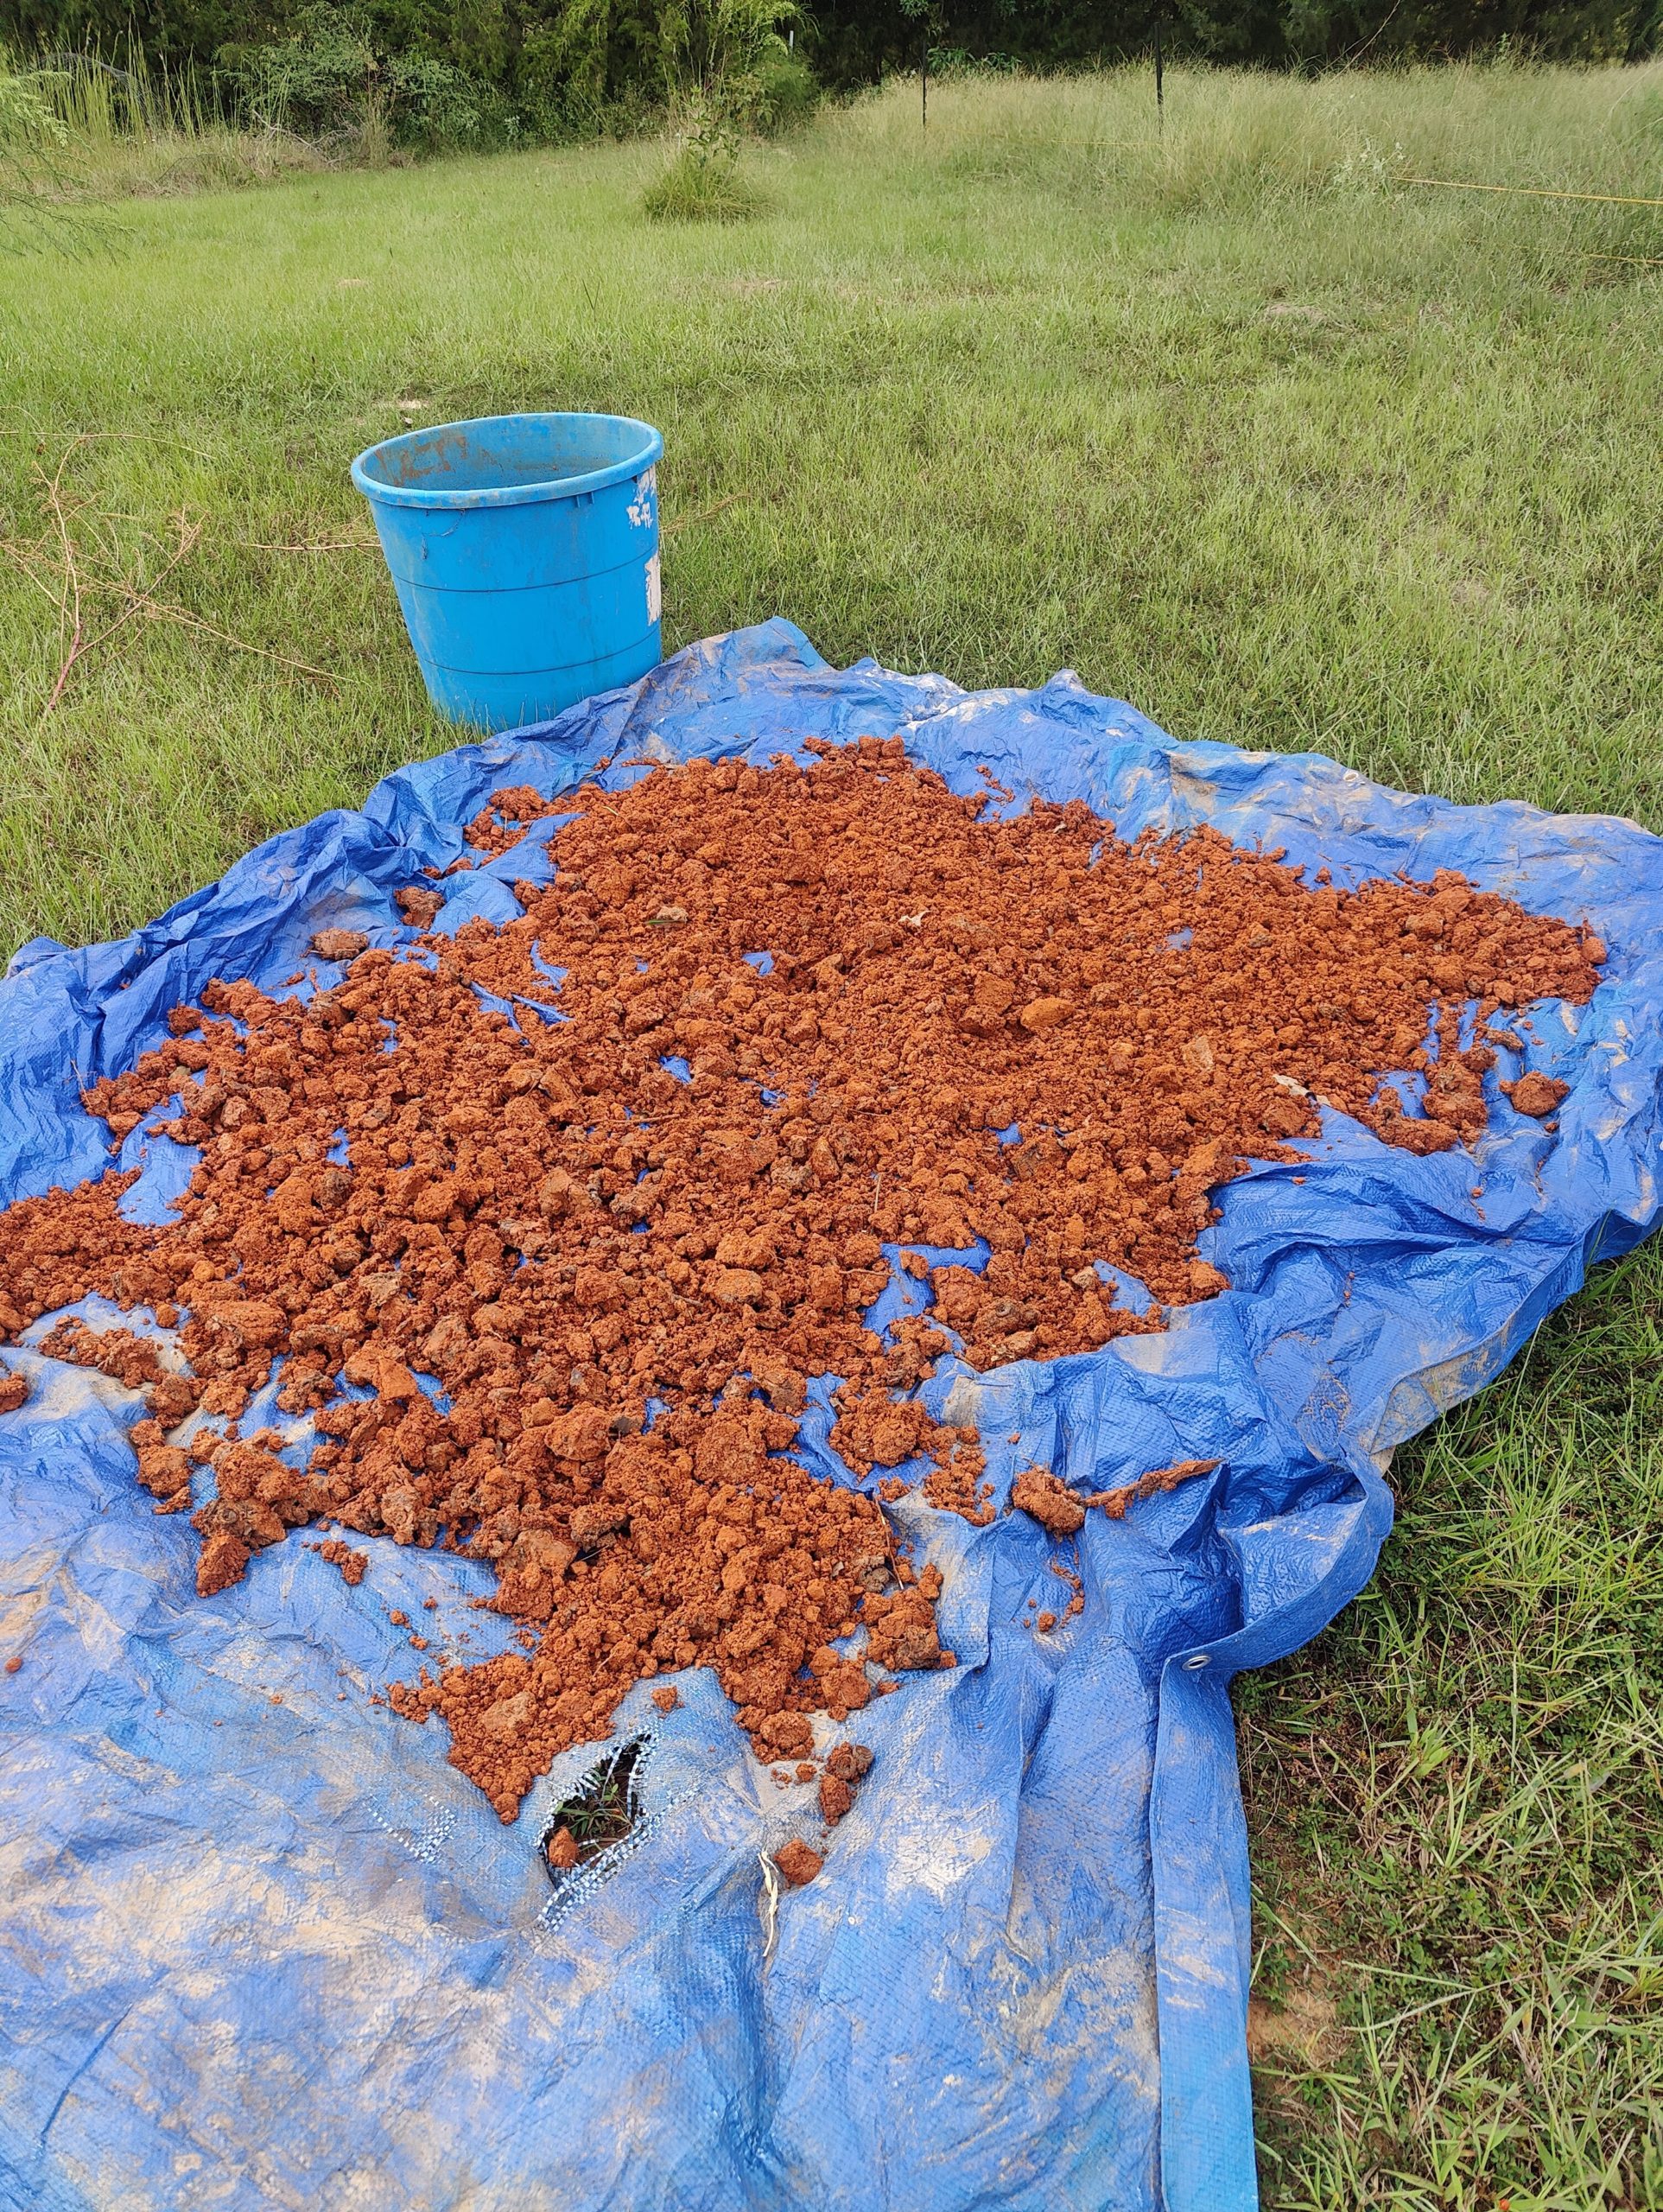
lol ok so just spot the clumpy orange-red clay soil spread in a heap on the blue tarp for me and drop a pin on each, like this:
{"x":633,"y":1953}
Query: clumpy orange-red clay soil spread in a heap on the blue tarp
{"x":552,"y":1227}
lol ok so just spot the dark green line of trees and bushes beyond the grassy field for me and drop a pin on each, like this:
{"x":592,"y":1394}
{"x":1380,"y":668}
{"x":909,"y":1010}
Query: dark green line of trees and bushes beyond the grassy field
{"x":490,"y":70}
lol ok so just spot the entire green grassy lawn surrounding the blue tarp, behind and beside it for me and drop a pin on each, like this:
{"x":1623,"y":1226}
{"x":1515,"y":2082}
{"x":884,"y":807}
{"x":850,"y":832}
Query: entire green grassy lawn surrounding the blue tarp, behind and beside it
{"x":1248,"y":430}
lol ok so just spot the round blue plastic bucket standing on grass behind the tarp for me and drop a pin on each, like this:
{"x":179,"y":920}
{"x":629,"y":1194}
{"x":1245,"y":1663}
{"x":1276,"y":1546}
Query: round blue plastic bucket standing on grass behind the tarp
{"x":525,"y":552}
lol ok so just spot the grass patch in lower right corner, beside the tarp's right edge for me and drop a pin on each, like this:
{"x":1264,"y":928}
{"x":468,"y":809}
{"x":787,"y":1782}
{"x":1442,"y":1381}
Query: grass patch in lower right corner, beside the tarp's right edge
{"x":1454,"y":1802}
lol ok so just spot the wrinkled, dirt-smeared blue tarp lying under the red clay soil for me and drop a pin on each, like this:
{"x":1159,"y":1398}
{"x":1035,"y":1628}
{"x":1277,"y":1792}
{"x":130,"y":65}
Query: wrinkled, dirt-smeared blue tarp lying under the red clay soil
{"x":280,"y":1954}
